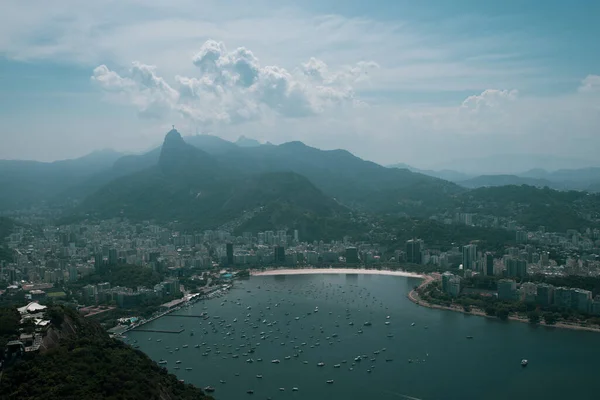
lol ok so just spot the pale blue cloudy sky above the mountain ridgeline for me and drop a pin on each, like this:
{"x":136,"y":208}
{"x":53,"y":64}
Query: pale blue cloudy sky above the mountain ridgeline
{"x":427,"y":83}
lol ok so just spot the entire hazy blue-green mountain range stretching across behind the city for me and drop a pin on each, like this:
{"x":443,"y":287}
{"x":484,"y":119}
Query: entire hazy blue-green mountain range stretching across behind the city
{"x":205,"y":182}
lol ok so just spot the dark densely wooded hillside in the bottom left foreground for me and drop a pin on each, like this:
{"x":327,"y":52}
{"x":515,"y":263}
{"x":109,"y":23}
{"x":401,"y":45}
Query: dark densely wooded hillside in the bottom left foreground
{"x":90,"y":365}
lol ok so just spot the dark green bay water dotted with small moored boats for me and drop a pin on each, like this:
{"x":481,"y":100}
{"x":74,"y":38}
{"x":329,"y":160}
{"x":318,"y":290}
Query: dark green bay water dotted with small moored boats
{"x":563,"y":364}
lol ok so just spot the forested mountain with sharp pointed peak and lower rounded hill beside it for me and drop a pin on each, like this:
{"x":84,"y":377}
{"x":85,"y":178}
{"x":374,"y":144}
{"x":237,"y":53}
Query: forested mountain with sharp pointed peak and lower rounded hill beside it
{"x":194,"y":187}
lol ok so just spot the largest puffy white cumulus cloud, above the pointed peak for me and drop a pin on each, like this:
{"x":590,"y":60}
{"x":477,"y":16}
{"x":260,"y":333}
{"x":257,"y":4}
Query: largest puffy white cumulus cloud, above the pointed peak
{"x":232,"y":86}
